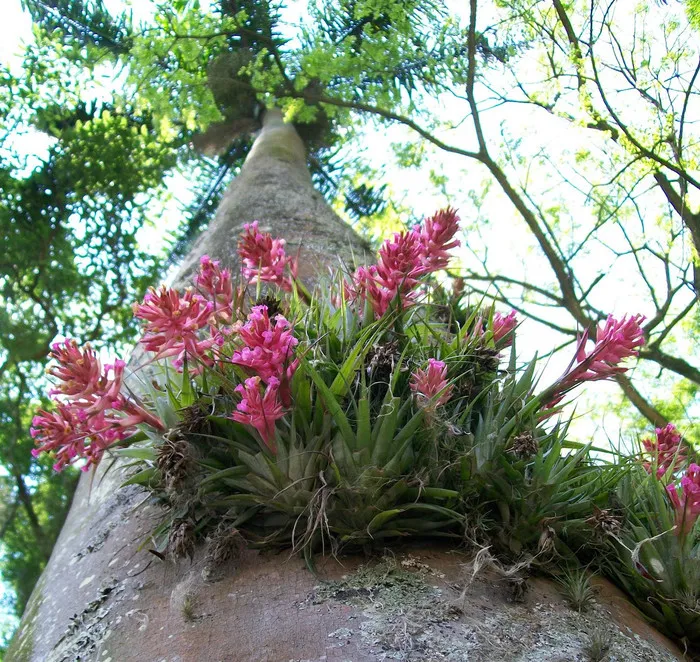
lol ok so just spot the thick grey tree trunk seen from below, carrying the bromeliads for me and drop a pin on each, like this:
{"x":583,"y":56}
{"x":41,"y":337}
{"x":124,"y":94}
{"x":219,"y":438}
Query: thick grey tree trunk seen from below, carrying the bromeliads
{"x":104,"y":597}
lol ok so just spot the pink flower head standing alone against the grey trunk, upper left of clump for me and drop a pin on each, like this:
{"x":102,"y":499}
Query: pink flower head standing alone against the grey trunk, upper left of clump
{"x":264,"y":258}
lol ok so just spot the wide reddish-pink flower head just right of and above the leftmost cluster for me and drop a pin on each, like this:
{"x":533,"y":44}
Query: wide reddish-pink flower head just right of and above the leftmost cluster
{"x":173,"y":322}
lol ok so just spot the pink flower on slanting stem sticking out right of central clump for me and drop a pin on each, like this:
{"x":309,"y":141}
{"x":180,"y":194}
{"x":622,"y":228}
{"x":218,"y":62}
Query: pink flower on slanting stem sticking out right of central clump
{"x":615,"y":341}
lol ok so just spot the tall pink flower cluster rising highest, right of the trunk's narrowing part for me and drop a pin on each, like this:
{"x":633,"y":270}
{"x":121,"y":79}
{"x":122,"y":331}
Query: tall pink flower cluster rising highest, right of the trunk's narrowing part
{"x":403,"y":259}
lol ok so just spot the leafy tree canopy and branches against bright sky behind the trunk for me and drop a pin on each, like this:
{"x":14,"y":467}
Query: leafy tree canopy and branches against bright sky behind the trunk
{"x":571,"y":126}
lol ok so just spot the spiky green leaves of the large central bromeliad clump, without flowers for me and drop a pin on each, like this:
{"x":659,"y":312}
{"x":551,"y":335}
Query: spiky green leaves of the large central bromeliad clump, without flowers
{"x":358,"y":460}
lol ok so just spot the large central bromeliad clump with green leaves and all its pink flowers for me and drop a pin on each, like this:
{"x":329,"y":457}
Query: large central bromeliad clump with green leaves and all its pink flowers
{"x":368,"y":409}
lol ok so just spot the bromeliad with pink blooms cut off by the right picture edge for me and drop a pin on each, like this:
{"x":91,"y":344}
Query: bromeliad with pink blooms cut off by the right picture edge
{"x":654,"y":549}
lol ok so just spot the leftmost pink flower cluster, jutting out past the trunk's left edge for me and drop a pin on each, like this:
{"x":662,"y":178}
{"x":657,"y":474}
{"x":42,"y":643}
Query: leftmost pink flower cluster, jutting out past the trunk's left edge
{"x":91,"y":414}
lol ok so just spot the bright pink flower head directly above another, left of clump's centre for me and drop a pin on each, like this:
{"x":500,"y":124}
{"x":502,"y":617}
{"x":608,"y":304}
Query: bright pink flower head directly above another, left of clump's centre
{"x":269,"y":345}
